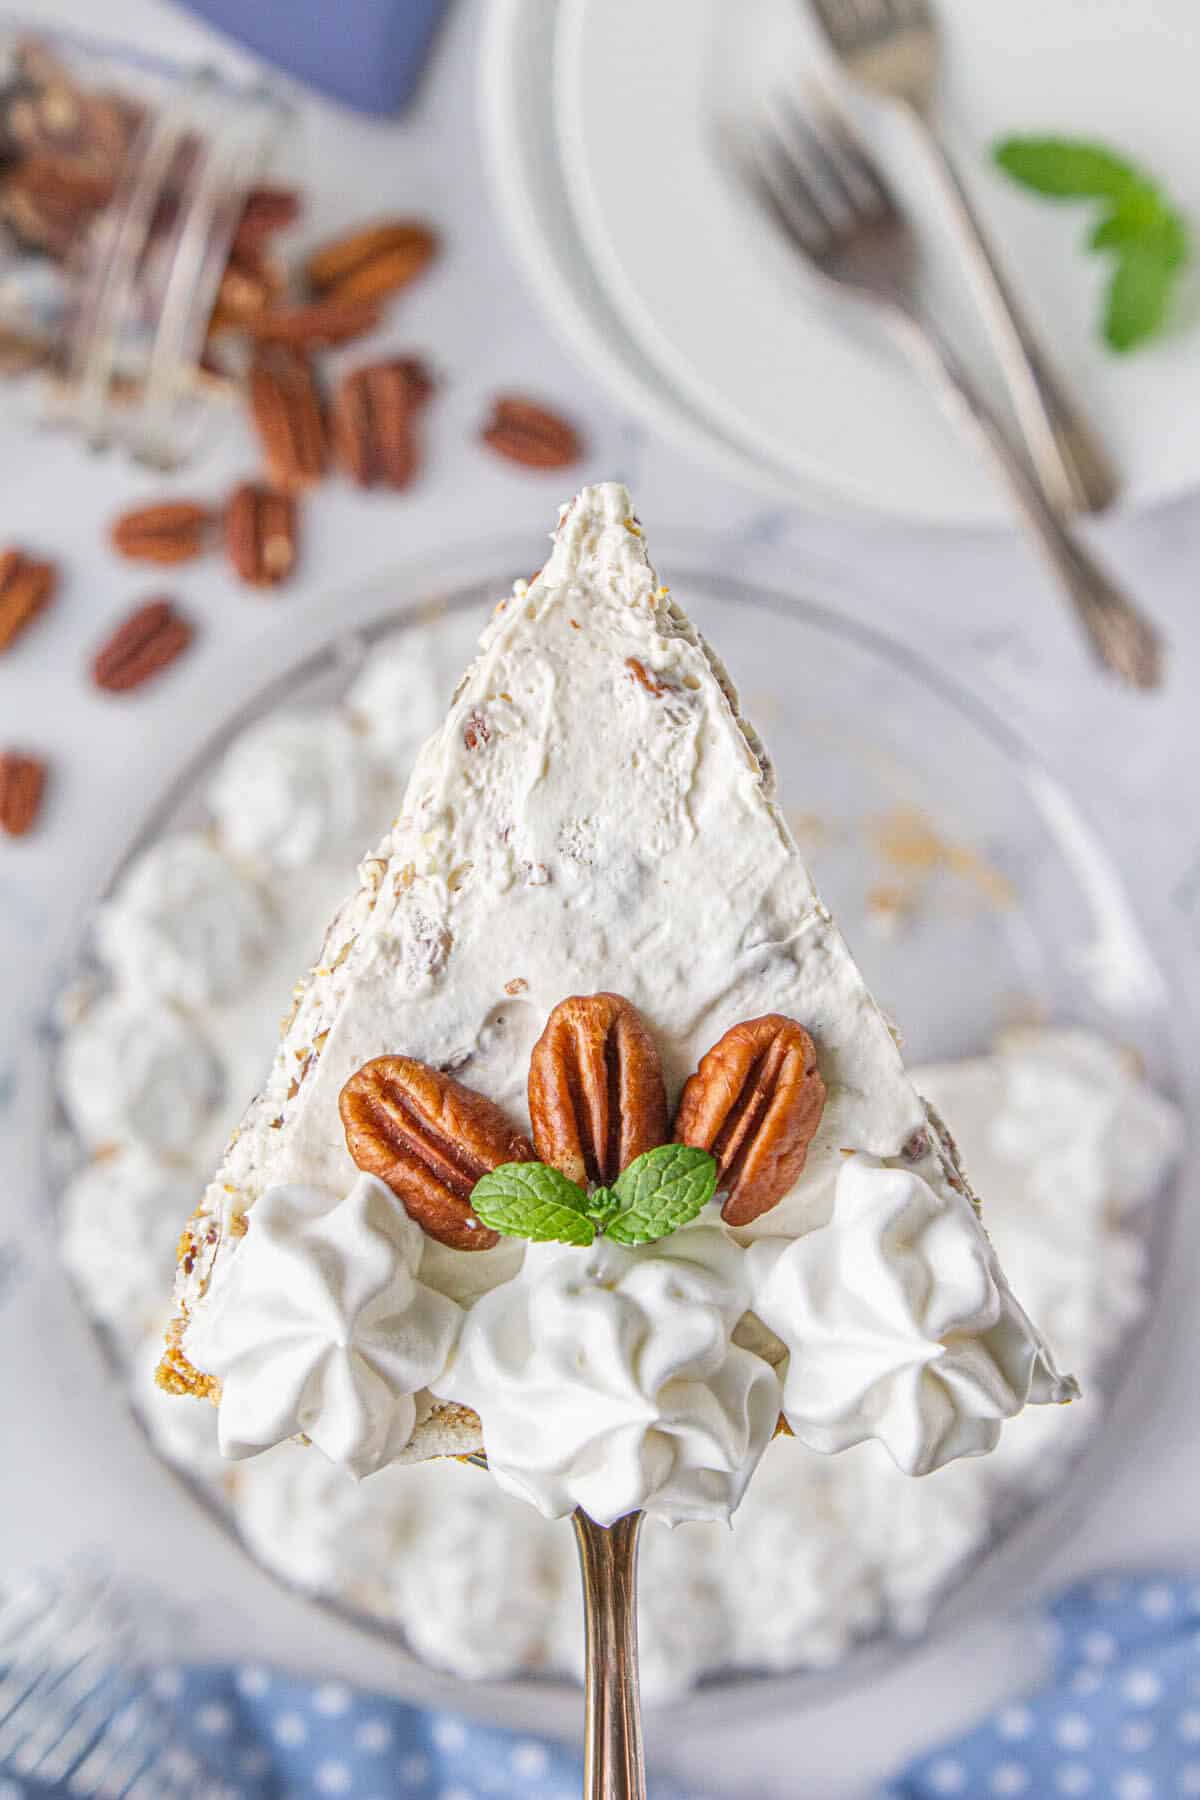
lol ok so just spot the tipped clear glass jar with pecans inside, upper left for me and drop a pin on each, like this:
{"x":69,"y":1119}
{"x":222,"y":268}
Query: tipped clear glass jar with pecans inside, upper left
{"x":136,"y":229}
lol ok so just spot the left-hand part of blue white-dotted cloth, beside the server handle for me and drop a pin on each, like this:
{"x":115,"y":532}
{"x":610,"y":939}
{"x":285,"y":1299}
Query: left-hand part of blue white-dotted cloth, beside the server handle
{"x":255,"y":1734}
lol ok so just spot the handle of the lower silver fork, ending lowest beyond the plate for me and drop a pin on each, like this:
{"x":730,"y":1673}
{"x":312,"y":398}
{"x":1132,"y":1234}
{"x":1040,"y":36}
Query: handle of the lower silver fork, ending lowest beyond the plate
{"x":1120,"y":634}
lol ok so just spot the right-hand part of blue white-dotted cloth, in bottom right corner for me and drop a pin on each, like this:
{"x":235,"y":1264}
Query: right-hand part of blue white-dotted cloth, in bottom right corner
{"x":1118,"y":1720}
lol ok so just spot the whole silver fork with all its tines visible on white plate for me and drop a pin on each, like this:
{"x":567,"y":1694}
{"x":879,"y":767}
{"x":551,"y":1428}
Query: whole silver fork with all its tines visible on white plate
{"x":828,"y":197}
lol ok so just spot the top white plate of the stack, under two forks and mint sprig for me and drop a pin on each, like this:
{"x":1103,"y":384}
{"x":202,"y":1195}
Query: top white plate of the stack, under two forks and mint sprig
{"x":706,"y":294}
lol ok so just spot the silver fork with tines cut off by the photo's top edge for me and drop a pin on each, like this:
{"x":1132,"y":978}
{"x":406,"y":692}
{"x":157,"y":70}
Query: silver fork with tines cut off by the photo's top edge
{"x":891,"y":49}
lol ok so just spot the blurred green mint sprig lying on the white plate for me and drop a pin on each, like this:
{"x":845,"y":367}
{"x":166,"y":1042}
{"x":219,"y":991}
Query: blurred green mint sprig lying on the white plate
{"x":1140,"y":226}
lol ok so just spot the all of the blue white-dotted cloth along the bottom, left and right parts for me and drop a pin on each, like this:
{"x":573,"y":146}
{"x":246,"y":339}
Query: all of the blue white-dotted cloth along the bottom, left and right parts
{"x":1118,"y":1720}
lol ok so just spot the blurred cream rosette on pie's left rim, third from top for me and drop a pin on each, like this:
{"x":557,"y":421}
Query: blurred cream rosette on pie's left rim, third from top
{"x":184,"y":924}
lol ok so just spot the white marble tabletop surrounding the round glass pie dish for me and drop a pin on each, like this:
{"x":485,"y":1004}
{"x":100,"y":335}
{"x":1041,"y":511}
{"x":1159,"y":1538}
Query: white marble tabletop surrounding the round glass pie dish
{"x":75,"y":1468}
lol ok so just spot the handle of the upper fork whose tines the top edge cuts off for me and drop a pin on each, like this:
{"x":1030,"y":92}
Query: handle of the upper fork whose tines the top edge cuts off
{"x":1066,"y":451}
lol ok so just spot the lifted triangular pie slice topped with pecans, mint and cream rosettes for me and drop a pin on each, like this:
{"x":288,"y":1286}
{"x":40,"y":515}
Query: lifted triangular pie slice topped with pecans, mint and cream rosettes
{"x":595,"y":825}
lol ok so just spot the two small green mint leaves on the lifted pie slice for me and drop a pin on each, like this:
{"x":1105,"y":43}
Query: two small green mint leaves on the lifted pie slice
{"x":658,"y":1194}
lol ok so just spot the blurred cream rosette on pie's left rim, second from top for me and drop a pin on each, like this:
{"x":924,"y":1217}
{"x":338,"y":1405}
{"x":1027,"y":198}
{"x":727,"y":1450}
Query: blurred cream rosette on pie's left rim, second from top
{"x":292,"y":789}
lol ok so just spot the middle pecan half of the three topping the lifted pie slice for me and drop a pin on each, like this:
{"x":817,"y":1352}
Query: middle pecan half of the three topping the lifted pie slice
{"x":596,"y":1095}
